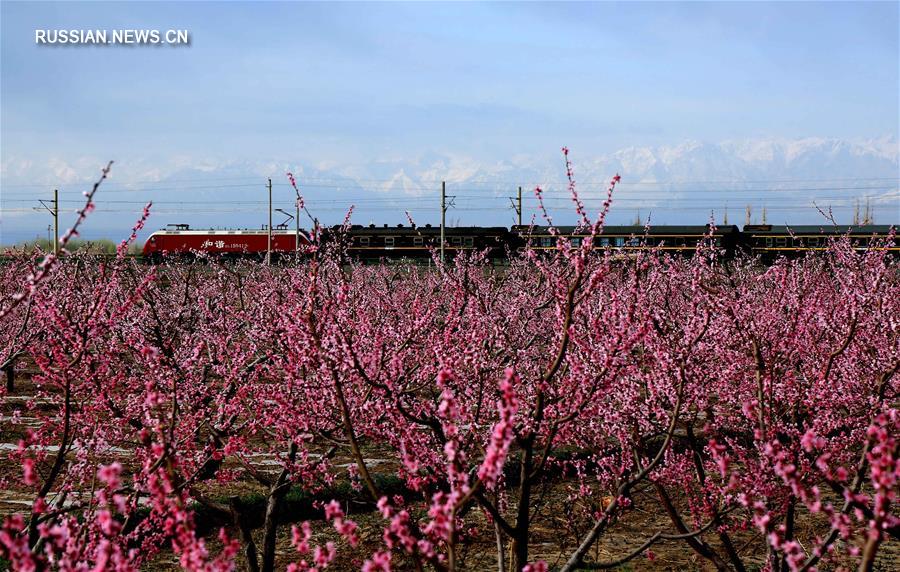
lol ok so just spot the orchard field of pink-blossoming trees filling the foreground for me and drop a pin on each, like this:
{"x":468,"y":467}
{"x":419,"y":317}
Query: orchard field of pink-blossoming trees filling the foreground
{"x":574,"y":409}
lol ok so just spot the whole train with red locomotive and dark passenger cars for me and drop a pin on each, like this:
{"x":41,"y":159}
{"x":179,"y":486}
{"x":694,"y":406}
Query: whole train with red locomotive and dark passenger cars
{"x":412,"y":242}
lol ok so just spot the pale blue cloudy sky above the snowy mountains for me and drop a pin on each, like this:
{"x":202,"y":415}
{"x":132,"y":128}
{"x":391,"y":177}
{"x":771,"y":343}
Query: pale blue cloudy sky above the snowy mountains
{"x":344,"y":84}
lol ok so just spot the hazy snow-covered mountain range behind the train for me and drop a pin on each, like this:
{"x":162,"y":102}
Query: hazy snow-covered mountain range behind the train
{"x":678,"y":183}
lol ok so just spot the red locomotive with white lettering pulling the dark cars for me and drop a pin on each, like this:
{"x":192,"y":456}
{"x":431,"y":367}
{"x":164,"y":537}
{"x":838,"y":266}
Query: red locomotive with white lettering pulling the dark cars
{"x":183,"y":240}
